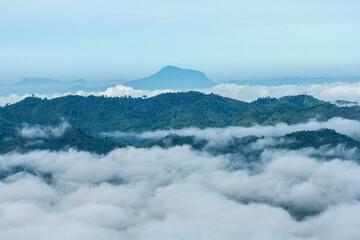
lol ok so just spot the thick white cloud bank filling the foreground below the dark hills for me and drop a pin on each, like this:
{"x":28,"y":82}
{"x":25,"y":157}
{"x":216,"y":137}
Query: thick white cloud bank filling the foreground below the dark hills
{"x":176,"y":194}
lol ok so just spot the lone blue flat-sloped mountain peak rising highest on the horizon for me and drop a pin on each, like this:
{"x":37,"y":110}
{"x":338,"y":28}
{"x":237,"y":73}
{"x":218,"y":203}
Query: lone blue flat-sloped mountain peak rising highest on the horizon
{"x":173,"y":77}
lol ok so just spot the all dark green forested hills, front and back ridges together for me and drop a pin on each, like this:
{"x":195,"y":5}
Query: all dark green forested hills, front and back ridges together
{"x":90,"y":116}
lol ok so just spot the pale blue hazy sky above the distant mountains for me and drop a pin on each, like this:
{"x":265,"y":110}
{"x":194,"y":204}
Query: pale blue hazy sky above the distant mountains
{"x":227,"y":40}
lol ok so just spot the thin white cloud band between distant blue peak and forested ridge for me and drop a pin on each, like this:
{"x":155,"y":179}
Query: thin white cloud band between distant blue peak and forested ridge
{"x":326,"y":91}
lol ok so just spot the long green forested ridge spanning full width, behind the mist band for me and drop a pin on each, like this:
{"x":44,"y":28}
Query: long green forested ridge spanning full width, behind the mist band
{"x":171,"y":110}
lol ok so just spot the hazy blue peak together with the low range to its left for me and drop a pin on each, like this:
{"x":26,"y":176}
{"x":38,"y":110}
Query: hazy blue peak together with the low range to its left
{"x":169,"y":77}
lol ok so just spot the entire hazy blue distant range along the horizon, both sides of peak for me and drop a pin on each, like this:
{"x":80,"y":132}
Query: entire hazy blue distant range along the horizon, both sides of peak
{"x":169,"y":77}
